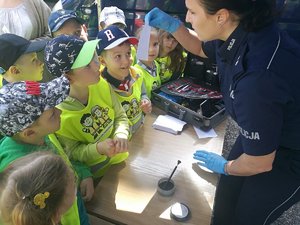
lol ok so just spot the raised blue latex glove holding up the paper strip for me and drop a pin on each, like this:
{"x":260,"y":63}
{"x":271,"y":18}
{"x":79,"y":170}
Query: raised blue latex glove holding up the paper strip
{"x":160,"y":19}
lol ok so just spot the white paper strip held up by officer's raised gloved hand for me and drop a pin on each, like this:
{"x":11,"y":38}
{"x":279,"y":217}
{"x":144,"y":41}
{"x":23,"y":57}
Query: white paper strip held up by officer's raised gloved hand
{"x":143,"y":46}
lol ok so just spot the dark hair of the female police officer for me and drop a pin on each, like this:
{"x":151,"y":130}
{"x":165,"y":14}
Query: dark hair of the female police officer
{"x":253,"y":14}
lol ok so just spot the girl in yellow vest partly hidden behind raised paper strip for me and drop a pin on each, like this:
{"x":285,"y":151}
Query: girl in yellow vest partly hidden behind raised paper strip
{"x":150,"y":68}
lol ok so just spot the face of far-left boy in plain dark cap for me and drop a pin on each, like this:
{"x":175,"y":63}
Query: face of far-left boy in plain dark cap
{"x":30,"y":67}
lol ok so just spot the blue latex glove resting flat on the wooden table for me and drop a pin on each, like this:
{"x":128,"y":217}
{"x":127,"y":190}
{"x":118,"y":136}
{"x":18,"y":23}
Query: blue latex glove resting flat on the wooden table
{"x":211,"y":161}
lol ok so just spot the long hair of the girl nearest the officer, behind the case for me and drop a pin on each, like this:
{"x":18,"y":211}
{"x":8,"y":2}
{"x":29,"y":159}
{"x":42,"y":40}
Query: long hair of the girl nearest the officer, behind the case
{"x":177,"y":59}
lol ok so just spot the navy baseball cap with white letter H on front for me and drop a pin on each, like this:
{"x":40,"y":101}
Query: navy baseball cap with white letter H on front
{"x":112,"y":37}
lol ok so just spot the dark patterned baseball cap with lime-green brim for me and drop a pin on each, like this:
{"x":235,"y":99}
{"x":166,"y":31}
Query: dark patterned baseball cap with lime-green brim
{"x":64,"y":53}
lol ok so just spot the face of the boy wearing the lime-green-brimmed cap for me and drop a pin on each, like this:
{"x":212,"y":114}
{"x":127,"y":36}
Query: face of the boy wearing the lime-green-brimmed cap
{"x":86,"y":75}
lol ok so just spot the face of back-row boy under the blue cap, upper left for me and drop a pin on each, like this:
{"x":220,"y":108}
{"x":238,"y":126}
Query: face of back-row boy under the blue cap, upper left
{"x":72,"y":27}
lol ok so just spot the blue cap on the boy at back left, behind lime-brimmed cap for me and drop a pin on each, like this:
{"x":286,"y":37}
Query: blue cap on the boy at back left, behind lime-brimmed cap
{"x":59,"y":17}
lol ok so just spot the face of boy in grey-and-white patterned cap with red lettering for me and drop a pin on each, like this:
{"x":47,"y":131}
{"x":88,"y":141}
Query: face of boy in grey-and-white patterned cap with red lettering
{"x":48,"y":122}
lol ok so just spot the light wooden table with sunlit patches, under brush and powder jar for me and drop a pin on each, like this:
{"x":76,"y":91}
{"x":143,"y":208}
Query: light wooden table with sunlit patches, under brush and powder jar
{"x":127,"y":193}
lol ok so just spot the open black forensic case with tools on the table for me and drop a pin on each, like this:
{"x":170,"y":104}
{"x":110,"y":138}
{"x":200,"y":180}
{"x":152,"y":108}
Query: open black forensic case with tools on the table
{"x":194,"y":98}
